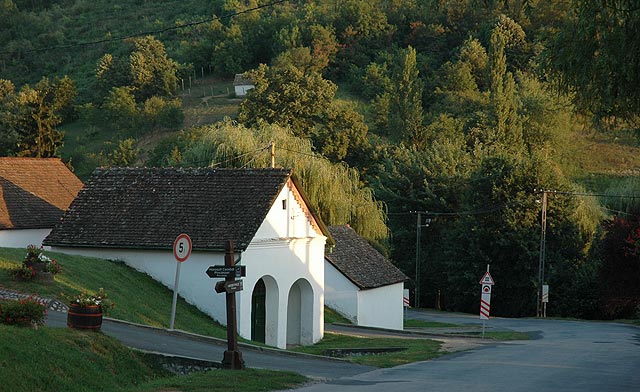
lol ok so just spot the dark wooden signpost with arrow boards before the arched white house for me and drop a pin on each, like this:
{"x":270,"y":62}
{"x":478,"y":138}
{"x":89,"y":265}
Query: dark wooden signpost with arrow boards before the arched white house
{"x":232,"y":357}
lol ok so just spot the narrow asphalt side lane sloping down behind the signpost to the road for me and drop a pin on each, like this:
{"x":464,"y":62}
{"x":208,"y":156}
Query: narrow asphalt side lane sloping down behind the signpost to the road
{"x":155,"y":340}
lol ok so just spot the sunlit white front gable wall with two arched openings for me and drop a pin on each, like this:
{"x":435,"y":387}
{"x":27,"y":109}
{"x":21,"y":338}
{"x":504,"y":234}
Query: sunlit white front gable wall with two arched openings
{"x":287,"y":248}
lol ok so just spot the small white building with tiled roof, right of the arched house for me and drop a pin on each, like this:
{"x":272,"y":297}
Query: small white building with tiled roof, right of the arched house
{"x":361,"y":284}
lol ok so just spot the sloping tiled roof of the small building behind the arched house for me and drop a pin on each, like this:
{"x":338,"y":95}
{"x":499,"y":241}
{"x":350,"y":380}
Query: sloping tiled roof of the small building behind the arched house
{"x":360,"y":262}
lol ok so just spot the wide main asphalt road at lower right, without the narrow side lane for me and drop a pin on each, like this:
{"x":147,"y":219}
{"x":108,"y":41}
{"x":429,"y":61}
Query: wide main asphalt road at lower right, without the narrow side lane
{"x":565,"y":356}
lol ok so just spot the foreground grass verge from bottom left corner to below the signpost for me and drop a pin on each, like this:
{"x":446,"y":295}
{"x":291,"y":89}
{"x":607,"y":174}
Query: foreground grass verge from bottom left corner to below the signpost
{"x":58,"y":359}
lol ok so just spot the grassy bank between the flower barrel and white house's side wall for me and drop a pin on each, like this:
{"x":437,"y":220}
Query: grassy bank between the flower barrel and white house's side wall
{"x":138,"y":297}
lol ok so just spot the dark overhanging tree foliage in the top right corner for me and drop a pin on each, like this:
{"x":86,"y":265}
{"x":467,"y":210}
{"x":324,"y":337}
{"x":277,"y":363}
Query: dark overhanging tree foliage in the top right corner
{"x":596,"y":56}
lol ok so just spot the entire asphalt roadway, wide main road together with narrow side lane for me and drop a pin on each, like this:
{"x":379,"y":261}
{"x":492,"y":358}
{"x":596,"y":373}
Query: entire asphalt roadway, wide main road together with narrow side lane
{"x":564,"y":356}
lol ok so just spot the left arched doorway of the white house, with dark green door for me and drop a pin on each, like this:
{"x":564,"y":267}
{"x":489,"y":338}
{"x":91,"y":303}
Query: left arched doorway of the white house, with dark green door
{"x":264,"y":311}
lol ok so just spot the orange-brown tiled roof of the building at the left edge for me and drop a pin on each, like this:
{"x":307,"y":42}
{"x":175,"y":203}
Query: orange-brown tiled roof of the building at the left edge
{"x":35,"y":192}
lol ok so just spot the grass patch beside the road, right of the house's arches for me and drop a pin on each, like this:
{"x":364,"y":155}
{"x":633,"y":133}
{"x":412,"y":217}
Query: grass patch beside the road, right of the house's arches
{"x":416,"y":349}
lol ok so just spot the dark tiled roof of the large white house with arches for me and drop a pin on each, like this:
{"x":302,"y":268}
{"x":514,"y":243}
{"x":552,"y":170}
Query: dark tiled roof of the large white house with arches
{"x":149,"y":207}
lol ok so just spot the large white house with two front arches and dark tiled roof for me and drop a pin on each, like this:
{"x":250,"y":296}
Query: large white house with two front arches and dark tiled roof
{"x":135,"y":215}
